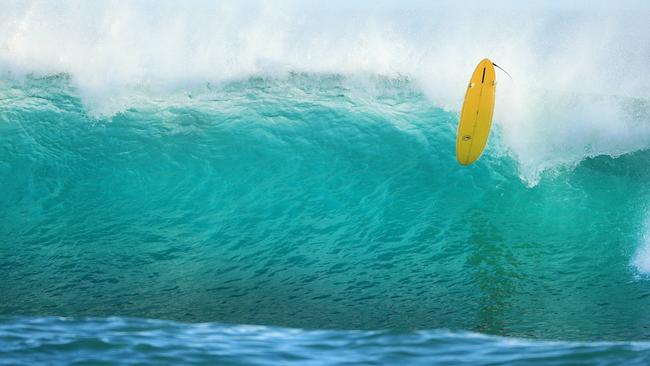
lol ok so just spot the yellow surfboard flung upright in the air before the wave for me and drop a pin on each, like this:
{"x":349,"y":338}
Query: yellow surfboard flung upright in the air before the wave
{"x":476,"y":115}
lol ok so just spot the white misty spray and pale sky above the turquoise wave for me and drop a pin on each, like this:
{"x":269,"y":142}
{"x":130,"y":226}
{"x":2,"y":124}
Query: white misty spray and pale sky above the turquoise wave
{"x":115,"y":49}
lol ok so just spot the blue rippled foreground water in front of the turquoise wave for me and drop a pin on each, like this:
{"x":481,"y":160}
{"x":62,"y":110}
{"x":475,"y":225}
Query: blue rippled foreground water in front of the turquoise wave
{"x":26,"y":341}
